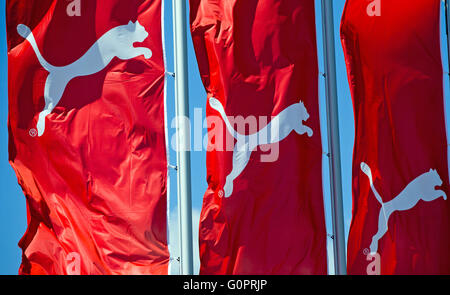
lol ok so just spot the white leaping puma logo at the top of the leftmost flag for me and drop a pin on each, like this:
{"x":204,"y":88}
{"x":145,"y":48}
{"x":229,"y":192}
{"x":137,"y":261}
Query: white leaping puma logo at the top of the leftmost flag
{"x":117,"y":42}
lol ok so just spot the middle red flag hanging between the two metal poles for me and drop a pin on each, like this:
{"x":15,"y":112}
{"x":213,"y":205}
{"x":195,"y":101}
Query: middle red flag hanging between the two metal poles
{"x":263,"y":209}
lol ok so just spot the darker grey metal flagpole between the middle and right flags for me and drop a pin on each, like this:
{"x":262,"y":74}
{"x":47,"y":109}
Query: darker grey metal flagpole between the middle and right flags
{"x":333,"y":138}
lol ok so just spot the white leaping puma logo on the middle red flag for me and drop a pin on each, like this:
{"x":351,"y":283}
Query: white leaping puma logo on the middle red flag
{"x":279,"y":128}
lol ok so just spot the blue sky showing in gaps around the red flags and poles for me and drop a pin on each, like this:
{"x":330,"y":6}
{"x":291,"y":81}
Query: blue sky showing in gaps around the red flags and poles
{"x":12,"y":201}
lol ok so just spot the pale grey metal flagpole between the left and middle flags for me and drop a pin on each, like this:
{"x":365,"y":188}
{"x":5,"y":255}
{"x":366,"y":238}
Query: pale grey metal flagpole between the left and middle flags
{"x":183,"y":135}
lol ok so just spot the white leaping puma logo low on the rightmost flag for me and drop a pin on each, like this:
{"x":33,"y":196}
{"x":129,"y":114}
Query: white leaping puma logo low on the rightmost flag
{"x":421,"y":188}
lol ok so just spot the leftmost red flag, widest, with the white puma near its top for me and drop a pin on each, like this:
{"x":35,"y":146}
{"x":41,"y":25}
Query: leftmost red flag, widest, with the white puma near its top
{"x":87,"y":135}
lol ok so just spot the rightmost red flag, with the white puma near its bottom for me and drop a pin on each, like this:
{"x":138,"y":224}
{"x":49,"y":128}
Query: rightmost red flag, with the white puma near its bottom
{"x":401,"y":215}
